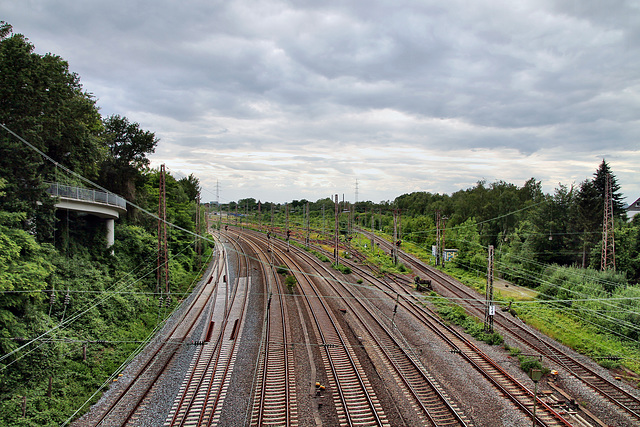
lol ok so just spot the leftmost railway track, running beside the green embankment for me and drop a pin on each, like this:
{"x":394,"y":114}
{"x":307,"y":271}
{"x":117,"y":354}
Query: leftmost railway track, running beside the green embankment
{"x":129,"y":401}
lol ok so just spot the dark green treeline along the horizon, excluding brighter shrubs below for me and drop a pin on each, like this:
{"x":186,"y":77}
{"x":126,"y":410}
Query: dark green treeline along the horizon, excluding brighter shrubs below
{"x":563,"y":228}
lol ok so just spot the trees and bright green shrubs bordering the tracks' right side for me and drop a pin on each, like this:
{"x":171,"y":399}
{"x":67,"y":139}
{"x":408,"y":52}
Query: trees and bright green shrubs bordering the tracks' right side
{"x":549,"y":242}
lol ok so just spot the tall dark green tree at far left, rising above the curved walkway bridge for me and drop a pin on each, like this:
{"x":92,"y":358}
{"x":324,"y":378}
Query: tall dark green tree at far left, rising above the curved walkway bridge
{"x":42,"y":102}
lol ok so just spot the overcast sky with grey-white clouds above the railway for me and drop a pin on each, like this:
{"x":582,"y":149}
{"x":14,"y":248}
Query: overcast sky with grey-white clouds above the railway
{"x":283,"y":100}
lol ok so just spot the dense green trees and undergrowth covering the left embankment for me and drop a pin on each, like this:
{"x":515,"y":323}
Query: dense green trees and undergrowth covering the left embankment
{"x":72,"y":311}
